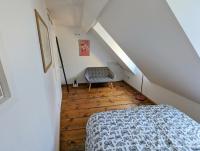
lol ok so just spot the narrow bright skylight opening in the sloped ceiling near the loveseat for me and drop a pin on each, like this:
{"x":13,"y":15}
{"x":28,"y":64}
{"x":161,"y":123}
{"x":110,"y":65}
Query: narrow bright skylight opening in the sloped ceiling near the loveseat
{"x":115,"y":47}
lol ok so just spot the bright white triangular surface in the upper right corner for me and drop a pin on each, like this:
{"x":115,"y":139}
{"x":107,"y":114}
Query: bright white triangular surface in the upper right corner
{"x":187,"y":13}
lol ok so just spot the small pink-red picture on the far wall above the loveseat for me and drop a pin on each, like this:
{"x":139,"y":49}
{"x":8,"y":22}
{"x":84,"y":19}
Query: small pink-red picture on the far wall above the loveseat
{"x":84,"y":47}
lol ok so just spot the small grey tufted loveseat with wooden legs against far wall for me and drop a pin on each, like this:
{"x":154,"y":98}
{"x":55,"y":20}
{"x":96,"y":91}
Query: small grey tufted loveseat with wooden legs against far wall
{"x":98,"y":75}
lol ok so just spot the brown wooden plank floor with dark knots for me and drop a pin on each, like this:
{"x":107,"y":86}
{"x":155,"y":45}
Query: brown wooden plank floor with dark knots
{"x":79,"y":104}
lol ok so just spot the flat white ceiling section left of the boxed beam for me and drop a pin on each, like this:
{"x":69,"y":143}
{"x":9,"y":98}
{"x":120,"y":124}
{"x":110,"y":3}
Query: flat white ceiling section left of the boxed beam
{"x":66,"y":12}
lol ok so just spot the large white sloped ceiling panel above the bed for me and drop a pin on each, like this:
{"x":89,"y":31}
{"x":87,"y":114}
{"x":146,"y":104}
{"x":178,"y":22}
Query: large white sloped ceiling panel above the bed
{"x":150,"y":34}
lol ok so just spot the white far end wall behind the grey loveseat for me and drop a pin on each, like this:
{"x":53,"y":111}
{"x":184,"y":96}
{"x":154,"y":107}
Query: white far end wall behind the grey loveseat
{"x":75,"y":65}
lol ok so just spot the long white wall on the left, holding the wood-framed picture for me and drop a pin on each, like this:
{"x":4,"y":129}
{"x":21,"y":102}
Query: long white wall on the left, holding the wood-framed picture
{"x":30,"y":118}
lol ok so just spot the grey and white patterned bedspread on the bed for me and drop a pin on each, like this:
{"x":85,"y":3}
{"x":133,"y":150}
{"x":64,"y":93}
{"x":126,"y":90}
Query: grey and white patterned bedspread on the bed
{"x":145,"y":128}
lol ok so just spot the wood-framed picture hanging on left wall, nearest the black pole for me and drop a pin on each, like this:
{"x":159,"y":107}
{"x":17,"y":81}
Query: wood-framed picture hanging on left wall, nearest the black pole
{"x":44,"y":42}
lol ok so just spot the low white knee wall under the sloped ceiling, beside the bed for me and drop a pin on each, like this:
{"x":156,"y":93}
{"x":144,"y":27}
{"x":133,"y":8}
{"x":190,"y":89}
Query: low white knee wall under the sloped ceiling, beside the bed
{"x":161,"y":95}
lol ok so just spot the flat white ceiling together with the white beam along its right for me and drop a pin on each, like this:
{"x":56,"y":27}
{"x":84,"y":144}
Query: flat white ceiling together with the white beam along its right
{"x":75,"y":13}
